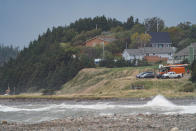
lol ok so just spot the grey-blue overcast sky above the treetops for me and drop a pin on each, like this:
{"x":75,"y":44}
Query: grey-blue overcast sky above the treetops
{"x":21,"y":21}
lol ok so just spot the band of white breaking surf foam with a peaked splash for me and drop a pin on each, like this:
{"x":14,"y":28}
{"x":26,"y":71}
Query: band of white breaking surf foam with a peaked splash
{"x":157,"y":103}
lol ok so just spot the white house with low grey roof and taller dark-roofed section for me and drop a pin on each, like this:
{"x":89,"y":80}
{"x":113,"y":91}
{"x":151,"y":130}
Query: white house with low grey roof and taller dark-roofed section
{"x":160,"y":47}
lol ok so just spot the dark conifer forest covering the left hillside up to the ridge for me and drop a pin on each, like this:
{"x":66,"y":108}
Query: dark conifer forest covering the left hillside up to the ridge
{"x":55,"y":57}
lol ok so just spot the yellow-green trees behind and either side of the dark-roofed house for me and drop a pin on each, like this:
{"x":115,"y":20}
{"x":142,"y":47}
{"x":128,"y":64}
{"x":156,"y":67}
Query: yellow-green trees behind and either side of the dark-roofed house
{"x":181,"y":35}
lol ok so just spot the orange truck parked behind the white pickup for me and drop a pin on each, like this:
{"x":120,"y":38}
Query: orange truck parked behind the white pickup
{"x":177,"y":68}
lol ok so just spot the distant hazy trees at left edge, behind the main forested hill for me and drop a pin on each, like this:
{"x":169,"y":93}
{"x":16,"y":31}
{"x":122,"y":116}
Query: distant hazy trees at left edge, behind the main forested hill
{"x":7,"y":53}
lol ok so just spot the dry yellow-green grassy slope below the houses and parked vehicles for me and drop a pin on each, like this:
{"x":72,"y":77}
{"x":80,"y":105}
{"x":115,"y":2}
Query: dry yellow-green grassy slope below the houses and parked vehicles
{"x":116,"y":82}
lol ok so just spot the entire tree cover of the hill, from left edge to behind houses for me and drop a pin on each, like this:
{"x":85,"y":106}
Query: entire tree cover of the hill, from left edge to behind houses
{"x":58,"y":54}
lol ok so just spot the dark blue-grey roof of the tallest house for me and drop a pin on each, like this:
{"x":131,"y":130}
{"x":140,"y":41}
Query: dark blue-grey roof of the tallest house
{"x":160,"y":37}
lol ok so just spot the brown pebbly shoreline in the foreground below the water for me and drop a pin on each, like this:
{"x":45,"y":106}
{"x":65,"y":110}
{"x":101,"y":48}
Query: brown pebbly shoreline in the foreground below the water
{"x":116,"y":122}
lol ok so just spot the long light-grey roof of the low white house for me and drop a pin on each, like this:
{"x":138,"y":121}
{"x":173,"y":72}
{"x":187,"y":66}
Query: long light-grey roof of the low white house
{"x":150,"y":50}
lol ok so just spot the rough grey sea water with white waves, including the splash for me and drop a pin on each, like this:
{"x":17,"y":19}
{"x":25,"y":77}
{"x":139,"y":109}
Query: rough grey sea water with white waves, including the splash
{"x":33,"y":112}
